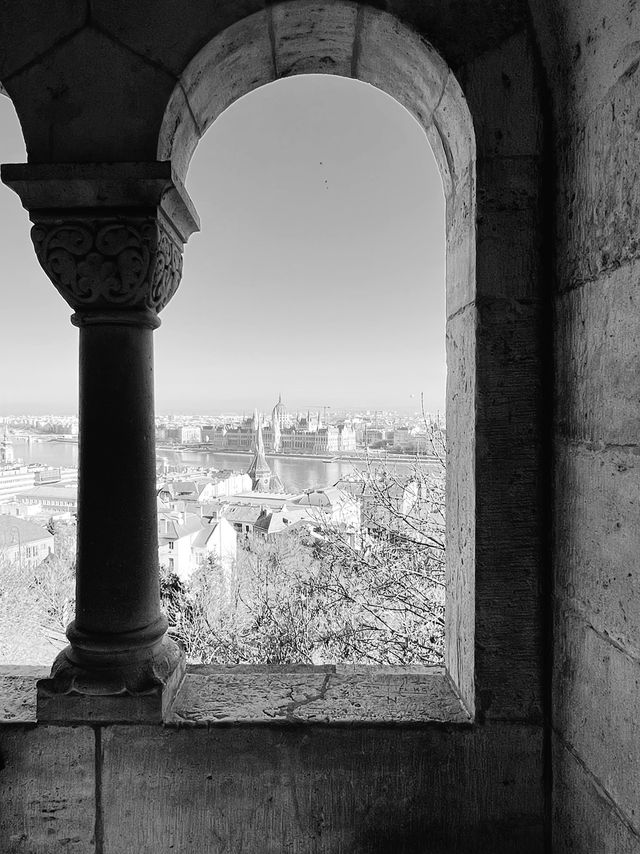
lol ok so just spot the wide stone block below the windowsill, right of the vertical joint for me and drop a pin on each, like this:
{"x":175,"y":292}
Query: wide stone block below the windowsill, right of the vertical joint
{"x":318,"y":789}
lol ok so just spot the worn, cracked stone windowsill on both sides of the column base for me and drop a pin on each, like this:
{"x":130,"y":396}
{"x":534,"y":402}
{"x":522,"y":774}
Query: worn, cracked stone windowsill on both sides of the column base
{"x":213,"y":694}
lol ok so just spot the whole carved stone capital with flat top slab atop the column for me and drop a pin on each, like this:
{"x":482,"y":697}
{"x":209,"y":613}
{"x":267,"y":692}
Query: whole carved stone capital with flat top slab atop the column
{"x":108,"y":235}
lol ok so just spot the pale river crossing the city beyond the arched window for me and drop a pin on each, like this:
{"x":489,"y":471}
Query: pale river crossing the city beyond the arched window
{"x":296,"y":473}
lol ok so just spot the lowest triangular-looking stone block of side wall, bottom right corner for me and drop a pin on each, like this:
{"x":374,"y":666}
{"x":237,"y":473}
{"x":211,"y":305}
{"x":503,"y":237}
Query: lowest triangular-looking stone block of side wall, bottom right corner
{"x":585,"y":819}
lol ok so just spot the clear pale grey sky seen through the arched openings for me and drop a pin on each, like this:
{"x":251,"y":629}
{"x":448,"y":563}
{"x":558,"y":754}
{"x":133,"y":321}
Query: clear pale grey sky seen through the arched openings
{"x":318,"y":272}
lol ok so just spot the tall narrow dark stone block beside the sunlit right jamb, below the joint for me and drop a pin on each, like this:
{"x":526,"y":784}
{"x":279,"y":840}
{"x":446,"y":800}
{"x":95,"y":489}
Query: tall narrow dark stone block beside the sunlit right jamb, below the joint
{"x":509,"y":511}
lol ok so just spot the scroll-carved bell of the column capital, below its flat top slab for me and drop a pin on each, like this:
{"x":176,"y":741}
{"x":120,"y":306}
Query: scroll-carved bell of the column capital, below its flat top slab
{"x":108,"y":263}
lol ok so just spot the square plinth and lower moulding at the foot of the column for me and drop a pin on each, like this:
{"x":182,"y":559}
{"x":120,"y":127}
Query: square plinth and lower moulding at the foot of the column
{"x":140,"y":693}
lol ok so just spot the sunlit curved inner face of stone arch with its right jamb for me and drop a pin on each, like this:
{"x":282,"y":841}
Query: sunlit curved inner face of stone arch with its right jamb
{"x":351,"y":40}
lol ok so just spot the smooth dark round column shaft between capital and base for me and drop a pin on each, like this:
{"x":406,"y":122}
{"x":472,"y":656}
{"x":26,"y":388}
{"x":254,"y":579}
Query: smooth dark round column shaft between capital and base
{"x":117,"y":568}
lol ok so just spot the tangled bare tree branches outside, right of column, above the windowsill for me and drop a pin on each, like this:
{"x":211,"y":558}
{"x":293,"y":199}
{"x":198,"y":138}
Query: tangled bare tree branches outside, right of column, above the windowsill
{"x":370,"y":595}
